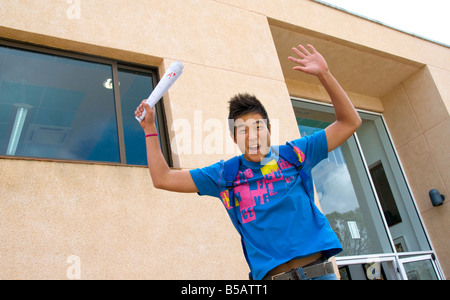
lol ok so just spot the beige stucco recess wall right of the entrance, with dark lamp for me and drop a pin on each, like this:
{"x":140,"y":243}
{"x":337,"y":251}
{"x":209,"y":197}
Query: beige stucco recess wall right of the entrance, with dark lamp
{"x":419,"y":123}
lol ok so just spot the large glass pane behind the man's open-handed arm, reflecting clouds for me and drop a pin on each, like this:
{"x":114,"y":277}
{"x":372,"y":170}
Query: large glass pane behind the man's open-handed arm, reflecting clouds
{"x":344,"y":192}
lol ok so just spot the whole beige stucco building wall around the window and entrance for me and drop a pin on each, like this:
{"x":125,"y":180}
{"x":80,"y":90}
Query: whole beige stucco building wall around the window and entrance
{"x":110,"y":216}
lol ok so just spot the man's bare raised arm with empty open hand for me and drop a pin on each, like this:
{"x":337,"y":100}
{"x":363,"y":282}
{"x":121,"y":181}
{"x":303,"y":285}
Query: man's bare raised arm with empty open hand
{"x":347,"y":118}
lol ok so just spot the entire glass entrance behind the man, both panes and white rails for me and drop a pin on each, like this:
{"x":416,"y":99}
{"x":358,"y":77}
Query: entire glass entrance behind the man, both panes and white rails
{"x":366,"y":198}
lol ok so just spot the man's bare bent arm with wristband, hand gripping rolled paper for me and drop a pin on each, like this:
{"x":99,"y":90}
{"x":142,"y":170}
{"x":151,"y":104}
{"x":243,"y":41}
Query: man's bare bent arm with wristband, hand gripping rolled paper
{"x":162,"y":176}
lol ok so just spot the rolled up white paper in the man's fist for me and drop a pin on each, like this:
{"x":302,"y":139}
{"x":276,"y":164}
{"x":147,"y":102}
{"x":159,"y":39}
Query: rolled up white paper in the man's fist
{"x":173,"y":73}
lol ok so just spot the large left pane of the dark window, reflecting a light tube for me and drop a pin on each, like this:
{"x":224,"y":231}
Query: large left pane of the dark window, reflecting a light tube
{"x":56,"y":107}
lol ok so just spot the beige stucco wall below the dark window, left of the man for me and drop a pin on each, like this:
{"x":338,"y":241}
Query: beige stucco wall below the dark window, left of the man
{"x":112,"y":218}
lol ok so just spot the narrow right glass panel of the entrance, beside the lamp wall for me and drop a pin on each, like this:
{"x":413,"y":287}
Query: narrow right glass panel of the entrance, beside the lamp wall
{"x":391,"y":187}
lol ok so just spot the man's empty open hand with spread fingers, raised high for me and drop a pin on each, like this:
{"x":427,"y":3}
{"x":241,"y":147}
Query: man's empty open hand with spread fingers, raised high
{"x":309,"y":61}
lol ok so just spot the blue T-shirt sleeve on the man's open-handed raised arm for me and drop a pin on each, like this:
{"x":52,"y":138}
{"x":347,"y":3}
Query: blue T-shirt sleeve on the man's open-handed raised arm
{"x":315,"y":147}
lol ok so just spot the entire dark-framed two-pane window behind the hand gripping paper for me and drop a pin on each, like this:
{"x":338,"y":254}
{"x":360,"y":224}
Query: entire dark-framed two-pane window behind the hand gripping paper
{"x":70,"y":107}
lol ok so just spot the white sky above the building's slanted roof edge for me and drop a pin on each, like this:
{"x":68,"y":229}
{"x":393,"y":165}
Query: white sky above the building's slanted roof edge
{"x":426,"y":18}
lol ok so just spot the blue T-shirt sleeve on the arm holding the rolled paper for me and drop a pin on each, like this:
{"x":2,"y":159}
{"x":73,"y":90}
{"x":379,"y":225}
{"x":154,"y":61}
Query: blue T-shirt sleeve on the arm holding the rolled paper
{"x":209,"y":180}
